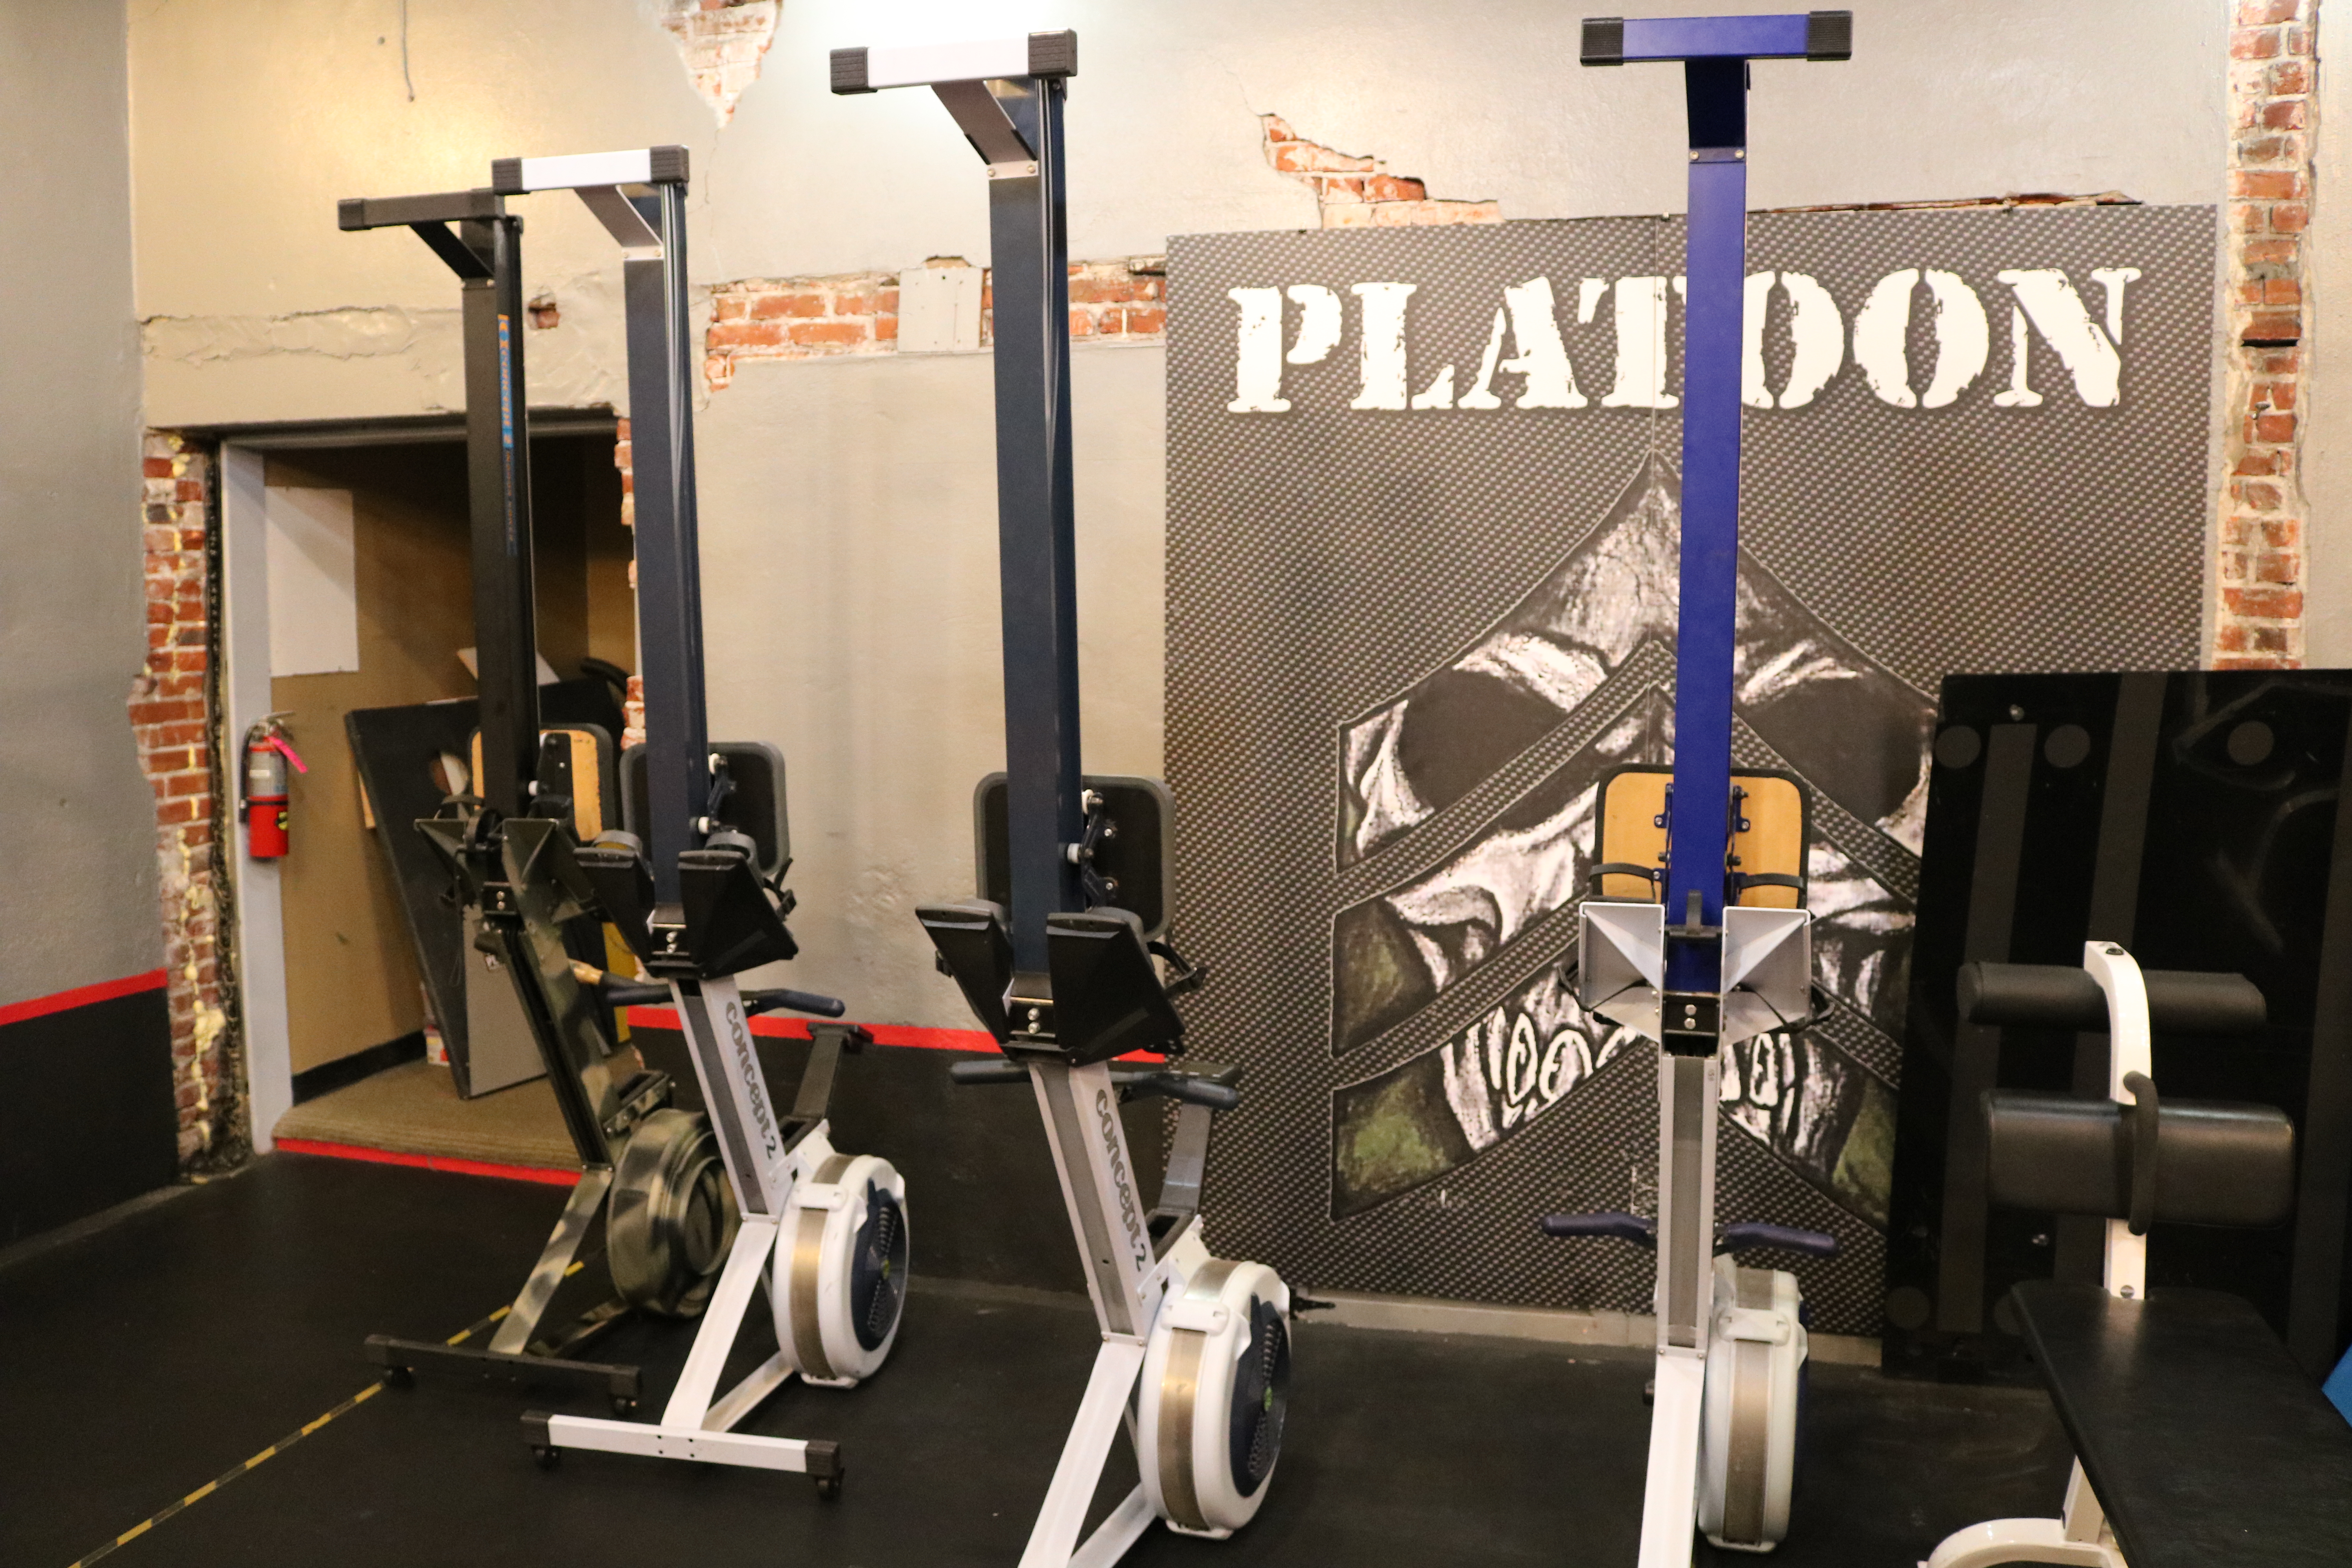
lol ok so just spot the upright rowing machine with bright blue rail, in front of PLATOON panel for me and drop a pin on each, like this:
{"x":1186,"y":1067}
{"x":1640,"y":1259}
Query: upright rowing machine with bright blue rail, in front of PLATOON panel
{"x":1737,"y":960}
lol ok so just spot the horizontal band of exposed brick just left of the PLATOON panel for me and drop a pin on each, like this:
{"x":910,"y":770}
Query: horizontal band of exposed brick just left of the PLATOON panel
{"x":857,"y":314}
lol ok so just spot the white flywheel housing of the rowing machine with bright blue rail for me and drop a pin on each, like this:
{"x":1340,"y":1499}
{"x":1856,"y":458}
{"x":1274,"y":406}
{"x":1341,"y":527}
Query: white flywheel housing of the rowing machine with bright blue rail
{"x":1749,"y":1442}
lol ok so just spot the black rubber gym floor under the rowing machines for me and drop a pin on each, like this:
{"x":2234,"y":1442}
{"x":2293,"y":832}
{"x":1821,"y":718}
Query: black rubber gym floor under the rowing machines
{"x":161,"y":1353}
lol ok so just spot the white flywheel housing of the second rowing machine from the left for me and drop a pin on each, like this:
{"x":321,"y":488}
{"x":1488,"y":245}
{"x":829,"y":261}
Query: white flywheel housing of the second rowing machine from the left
{"x":841,"y":1268}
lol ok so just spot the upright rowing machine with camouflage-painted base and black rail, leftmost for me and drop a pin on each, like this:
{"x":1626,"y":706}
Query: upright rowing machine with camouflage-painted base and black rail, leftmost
{"x":650,"y":1170}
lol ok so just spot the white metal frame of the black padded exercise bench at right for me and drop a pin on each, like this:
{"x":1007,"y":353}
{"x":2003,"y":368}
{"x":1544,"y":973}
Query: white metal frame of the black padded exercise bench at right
{"x":2080,"y":1536}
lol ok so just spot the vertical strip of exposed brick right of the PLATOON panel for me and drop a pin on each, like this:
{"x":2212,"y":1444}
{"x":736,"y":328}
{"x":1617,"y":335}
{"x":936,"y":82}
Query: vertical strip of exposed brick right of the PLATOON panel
{"x":2261,"y":561}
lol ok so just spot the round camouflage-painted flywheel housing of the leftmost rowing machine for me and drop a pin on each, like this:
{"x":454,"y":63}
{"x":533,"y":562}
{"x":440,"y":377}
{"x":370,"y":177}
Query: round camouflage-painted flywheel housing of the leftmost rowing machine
{"x":674,"y":1214}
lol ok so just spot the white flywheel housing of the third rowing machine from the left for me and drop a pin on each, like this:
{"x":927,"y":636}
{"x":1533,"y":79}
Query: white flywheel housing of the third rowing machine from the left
{"x":1217,"y":1383}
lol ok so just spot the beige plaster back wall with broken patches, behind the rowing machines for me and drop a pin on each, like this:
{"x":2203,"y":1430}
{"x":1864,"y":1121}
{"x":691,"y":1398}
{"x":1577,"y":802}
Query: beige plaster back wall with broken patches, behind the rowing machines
{"x":848,"y":507}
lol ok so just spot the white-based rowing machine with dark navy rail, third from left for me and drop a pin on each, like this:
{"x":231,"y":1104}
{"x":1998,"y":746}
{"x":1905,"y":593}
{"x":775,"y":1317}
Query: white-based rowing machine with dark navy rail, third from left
{"x":1062,"y":967}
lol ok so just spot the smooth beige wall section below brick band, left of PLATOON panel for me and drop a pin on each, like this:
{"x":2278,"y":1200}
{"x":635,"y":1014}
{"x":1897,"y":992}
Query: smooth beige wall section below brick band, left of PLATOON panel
{"x":853,"y":619}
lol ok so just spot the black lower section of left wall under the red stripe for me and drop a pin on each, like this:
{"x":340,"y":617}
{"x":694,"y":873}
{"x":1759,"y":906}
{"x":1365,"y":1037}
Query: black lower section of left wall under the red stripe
{"x":91,"y":1120}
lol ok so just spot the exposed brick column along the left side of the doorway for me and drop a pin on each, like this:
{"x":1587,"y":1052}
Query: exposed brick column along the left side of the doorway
{"x":175,"y":730}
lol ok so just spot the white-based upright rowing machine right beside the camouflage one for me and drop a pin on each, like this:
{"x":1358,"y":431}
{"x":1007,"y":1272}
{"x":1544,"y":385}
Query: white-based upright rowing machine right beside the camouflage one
{"x":702,"y":899}
